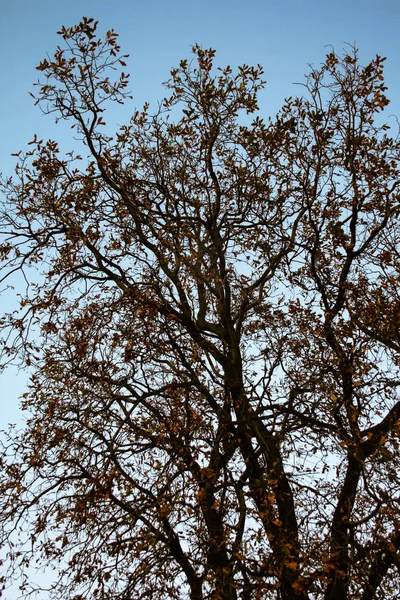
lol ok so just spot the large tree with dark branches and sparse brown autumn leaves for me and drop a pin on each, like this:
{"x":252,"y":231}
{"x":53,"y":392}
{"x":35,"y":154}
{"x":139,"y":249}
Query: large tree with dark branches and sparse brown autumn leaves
{"x":212,"y":323}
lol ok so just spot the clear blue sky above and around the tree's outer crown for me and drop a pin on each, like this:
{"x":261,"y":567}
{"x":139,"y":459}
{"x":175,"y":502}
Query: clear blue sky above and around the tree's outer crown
{"x":284,"y":36}
